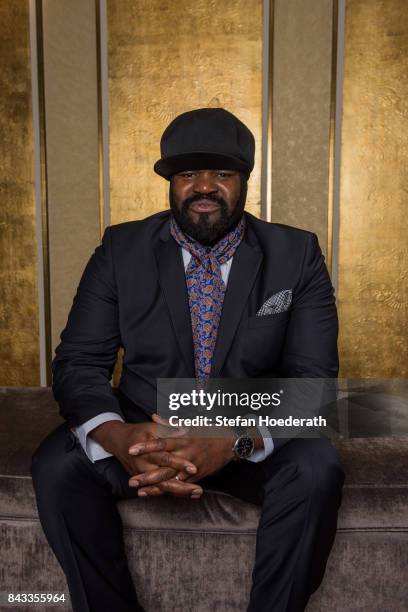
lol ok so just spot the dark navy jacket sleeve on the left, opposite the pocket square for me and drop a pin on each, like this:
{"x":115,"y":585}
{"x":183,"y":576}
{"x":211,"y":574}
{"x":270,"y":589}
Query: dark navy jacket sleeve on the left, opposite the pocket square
{"x":85,"y":358}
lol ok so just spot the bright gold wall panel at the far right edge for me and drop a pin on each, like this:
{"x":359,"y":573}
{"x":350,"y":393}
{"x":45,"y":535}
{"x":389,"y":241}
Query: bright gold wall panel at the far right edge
{"x":373,"y":251}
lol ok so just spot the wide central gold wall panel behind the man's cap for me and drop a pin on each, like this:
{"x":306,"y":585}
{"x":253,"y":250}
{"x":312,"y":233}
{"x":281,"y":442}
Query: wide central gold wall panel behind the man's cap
{"x":165,"y":58}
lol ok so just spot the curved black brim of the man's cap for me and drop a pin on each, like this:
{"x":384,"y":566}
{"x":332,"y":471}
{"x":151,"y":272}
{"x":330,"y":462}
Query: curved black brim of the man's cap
{"x":199,"y":160}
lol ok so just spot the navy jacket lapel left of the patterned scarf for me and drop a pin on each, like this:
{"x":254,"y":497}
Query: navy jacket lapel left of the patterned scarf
{"x":173,"y":283}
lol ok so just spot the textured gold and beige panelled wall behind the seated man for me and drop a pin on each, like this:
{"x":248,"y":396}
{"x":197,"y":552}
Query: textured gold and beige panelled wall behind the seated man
{"x":168,"y":57}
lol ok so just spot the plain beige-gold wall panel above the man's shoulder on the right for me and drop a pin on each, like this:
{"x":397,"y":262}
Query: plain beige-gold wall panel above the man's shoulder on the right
{"x":302,"y":78}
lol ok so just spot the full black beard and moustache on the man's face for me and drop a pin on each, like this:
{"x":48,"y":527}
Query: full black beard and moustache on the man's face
{"x":205,"y":231}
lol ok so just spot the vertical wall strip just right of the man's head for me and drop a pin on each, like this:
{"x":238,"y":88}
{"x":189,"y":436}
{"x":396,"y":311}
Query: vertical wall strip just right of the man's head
{"x":267,"y":106}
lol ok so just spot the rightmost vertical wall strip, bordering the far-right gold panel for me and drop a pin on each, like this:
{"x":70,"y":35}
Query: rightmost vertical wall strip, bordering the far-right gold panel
{"x":335,"y":221}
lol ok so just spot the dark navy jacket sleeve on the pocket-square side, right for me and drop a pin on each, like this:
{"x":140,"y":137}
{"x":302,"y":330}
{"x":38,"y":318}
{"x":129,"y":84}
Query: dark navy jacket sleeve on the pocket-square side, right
{"x":310,"y":349}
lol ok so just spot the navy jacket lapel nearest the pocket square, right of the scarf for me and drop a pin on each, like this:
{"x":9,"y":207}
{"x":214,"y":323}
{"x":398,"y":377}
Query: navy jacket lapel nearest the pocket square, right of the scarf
{"x":245,"y":266}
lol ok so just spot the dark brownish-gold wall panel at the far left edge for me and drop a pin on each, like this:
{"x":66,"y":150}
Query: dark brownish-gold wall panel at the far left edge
{"x":19,"y":317}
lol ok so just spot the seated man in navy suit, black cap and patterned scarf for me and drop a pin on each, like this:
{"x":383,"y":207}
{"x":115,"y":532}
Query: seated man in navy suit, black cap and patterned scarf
{"x":202,"y":291}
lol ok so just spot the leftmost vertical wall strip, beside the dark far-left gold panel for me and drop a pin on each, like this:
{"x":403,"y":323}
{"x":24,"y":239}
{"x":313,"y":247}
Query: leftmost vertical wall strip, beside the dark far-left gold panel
{"x":40,"y":180}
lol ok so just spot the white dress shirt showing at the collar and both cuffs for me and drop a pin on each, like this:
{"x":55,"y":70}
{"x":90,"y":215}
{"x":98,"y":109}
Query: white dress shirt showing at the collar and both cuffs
{"x":95,"y":451}
